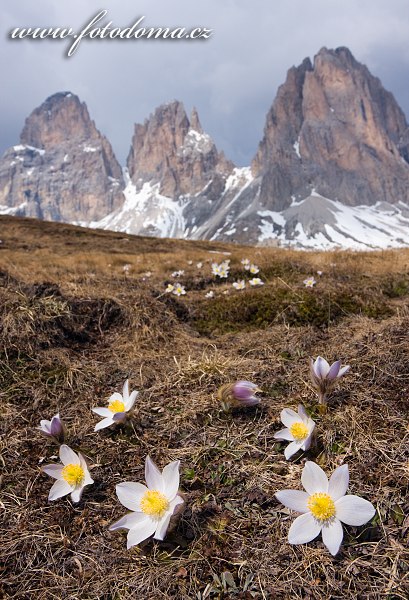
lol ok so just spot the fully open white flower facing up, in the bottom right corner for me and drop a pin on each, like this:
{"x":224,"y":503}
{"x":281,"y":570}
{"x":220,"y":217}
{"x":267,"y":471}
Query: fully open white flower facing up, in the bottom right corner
{"x":324,"y":506}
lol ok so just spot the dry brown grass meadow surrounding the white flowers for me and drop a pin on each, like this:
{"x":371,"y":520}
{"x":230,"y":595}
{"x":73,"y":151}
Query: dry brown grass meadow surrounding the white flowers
{"x":74,"y":325}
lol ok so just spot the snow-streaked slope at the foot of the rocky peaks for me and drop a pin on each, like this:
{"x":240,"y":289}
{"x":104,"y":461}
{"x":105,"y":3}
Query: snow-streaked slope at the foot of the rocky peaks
{"x":312,"y":223}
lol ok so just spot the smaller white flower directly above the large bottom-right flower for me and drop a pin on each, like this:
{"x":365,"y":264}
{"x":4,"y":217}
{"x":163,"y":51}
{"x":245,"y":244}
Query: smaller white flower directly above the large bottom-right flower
{"x":298,"y":430}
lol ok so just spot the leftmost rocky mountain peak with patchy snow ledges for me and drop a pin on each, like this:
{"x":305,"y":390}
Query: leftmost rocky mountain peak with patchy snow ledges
{"x":63,"y":169}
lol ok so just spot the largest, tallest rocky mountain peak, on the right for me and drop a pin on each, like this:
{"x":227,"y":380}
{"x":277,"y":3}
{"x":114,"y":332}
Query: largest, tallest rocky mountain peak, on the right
{"x":334,"y":129}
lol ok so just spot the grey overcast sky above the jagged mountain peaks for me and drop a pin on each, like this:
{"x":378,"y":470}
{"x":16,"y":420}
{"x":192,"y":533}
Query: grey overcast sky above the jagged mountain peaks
{"x":231,"y":78}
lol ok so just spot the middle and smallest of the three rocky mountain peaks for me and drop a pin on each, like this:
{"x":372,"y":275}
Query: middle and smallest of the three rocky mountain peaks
{"x":171,"y":150}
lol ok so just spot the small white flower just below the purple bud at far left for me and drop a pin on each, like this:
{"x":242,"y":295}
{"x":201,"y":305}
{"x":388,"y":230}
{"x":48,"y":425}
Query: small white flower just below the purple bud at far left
{"x":72,"y":476}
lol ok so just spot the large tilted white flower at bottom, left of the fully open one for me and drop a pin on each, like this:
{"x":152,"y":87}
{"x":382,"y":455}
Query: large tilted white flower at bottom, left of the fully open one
{"x":152,"y":506}
